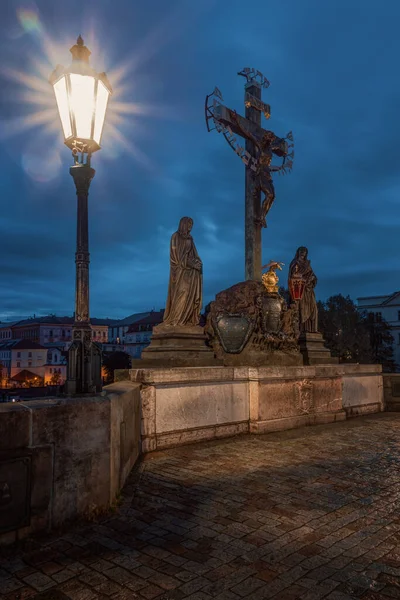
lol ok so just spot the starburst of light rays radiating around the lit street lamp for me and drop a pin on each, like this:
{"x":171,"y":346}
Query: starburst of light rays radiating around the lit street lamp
{"x":127,"y":122}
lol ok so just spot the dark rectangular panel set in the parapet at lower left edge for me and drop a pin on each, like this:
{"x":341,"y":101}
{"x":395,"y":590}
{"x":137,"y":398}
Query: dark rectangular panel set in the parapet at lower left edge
{"x":15,"y":493}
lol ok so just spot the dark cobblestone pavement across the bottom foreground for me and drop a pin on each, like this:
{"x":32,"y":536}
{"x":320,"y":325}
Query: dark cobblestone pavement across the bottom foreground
{"x":311,"y":513}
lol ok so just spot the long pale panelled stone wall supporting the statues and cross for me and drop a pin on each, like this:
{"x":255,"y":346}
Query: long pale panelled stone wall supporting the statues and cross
{"x":185,"y":405}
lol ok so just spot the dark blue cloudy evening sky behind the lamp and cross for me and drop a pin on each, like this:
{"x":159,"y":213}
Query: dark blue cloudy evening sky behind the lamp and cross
{"x":333,"y":68}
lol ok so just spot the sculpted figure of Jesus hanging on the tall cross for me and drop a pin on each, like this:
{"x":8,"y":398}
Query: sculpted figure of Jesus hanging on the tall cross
{"x":265,"y":146}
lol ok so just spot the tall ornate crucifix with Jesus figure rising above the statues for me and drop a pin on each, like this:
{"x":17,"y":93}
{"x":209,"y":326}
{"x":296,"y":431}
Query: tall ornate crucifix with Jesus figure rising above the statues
{"x":260,"y":146}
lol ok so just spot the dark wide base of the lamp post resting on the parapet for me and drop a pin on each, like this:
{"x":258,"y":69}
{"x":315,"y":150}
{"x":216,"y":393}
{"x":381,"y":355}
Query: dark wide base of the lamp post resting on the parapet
{"x":84,"y":364}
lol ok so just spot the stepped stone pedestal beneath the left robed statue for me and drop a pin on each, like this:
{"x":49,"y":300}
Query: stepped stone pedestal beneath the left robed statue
{"x":177,"y":346}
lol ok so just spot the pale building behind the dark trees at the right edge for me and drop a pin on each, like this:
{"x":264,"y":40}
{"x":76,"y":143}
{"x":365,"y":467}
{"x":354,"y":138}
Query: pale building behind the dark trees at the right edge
{"x":387,"y":308}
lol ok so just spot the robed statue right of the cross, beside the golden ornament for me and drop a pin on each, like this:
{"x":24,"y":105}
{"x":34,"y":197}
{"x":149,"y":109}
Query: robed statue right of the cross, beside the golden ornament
{"x":308,"y":304}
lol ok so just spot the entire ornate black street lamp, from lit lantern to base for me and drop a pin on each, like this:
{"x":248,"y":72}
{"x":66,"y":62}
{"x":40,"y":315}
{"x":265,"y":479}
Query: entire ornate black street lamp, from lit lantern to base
{"x":82,"y":96}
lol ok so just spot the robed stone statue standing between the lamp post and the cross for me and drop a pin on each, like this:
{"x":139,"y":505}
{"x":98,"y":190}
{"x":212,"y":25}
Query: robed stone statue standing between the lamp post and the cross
{"x":185,"y":280}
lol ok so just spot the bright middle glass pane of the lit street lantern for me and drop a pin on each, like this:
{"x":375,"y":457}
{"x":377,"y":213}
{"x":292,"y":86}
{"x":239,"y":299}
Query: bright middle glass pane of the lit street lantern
{"x":82,"y":103}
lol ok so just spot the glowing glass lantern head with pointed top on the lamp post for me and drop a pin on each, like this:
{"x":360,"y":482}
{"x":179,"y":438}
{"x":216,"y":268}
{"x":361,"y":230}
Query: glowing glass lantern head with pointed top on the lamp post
{"x":82,"y":96}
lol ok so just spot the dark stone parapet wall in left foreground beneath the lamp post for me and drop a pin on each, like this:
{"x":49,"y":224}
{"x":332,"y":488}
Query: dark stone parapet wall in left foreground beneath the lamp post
{"x":62,"y":458}
